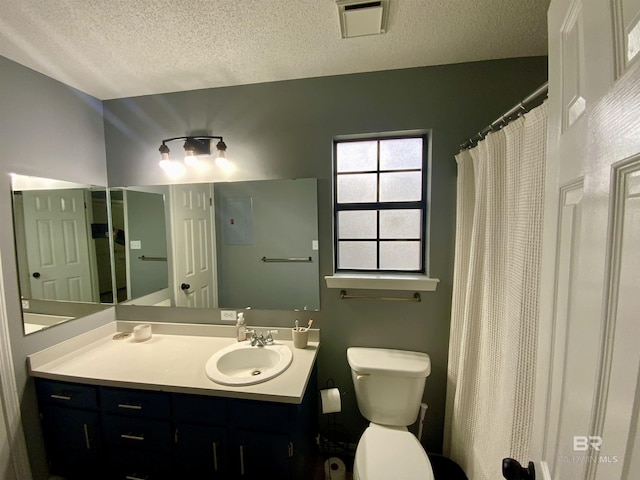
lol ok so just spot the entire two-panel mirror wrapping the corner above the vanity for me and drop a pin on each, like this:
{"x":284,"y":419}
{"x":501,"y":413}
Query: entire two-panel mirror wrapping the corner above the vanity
{"x":82,"y":248}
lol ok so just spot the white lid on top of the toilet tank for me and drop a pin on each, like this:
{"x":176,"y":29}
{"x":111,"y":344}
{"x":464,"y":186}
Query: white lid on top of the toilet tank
{"x":387,"y":361}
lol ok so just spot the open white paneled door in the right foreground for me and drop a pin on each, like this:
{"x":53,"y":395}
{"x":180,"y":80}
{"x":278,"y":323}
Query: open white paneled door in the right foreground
{"x":590,"y":325}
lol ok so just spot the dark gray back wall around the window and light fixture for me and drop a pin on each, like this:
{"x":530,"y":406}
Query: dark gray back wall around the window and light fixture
{"x":285,"y":130}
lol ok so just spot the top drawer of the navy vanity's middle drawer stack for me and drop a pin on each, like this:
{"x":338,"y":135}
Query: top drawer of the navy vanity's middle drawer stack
{"x":135,"y":403}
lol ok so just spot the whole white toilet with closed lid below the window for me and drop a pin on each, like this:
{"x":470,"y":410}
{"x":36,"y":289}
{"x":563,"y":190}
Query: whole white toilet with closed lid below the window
{"x":389,"y":386}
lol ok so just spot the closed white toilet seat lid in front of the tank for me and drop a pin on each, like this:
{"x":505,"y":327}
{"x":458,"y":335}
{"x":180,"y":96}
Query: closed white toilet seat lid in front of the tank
{"x":386,"y":453}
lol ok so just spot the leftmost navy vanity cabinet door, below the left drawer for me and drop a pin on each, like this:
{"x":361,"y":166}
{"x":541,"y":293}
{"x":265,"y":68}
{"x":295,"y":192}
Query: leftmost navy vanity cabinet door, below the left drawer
{"x":73,"y":442}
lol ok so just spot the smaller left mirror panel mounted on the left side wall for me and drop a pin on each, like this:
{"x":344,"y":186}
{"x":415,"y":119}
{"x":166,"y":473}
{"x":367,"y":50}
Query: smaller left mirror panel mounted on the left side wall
{"x":63,"y":244}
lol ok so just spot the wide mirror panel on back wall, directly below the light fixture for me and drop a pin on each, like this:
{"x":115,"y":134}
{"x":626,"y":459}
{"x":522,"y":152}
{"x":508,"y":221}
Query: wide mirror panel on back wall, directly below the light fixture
{"x":221,"y":245}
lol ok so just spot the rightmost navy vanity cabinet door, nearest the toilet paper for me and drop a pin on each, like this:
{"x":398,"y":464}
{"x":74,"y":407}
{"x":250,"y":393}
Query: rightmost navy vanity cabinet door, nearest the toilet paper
{"x":262,"y":455}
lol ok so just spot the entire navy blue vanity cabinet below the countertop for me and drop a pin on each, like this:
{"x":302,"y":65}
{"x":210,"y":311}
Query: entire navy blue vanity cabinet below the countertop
{"x":110,"y":433}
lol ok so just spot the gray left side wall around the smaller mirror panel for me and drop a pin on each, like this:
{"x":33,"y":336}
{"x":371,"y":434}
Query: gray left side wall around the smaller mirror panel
{"x":49,"y":130}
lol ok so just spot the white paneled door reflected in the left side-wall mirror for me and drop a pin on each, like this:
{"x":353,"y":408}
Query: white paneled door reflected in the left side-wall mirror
{"x":57,"y":245}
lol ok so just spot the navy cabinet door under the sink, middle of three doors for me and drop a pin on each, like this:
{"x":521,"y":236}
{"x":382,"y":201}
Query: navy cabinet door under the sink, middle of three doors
{"x":201,"y":451}
